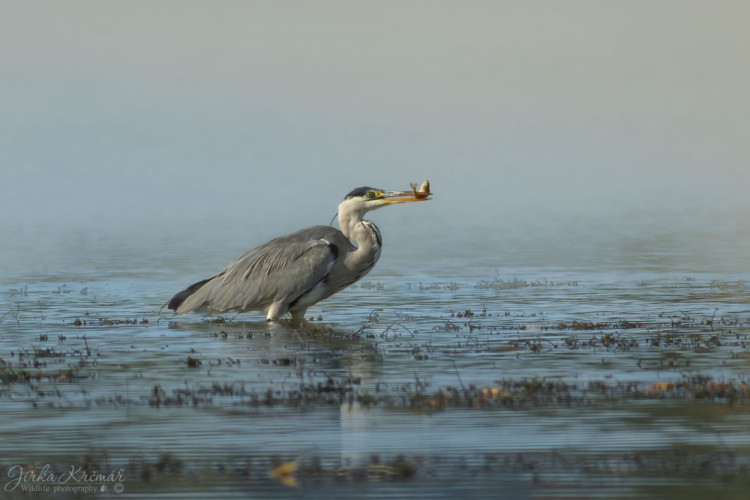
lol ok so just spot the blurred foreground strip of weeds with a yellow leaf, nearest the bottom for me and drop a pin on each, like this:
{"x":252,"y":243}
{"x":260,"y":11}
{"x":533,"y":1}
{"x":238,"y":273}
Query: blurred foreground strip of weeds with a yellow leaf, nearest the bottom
{"x":165,"y":469}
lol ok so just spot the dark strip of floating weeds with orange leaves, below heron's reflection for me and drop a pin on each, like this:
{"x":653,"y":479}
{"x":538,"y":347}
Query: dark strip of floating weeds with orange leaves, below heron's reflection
{"x":509,"y":394}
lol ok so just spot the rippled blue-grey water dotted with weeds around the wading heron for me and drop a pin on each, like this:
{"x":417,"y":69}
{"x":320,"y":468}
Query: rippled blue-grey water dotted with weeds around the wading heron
{"x":549,"y":357}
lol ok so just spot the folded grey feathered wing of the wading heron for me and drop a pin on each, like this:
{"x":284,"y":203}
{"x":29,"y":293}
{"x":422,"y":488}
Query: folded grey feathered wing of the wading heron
{"x":281,"y":270}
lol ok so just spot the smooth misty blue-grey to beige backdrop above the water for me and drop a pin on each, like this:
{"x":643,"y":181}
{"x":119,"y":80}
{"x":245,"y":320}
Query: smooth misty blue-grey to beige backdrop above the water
{"x":258,"y":116}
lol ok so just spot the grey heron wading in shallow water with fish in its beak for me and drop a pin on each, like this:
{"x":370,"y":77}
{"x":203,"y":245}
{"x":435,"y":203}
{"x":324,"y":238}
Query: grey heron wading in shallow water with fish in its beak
{"x":290,"y":273}
